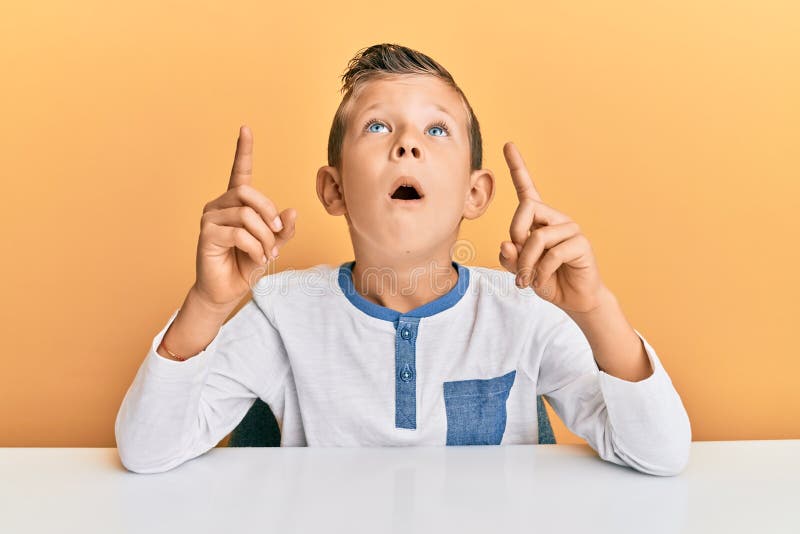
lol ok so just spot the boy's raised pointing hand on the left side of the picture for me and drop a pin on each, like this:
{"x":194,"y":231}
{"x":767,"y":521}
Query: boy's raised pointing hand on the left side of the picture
{"x":239,"y":232}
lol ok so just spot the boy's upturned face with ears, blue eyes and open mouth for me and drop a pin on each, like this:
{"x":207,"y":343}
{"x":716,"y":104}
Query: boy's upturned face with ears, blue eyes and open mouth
{"x":405,"y":126}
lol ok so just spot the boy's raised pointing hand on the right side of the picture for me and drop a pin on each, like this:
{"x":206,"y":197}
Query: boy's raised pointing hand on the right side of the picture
{"x":547,"y":248}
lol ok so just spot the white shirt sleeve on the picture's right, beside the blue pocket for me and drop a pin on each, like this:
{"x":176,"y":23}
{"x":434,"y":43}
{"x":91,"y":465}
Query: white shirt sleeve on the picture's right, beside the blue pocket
{"x":641,"y":424}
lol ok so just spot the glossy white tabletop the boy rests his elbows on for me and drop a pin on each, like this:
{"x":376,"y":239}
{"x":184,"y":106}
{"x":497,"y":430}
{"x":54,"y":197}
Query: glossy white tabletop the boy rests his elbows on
{"x":740,"y":486}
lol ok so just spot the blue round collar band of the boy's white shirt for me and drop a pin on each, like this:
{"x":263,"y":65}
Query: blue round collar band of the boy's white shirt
{"x":441,"y":303}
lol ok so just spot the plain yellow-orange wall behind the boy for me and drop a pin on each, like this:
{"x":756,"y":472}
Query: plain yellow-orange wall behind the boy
{"x":668,"y":132}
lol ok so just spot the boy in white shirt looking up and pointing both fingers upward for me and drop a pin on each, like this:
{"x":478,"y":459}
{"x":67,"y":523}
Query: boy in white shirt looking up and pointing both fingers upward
{"x":403,"y":345}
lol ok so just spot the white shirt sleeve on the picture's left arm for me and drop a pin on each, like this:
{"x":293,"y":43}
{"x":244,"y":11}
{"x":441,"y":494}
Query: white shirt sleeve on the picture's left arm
{"x":175,"y":411}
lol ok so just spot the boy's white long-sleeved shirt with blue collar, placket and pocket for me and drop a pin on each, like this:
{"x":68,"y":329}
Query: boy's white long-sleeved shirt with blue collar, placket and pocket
{"x":339,"y":370}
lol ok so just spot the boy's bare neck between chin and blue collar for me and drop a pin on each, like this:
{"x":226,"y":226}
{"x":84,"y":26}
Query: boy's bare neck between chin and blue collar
{"x":403,"y":286}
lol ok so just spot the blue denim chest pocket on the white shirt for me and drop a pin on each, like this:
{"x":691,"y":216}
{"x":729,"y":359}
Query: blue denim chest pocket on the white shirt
{"x":476,"y":410}
